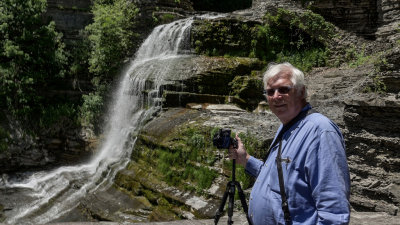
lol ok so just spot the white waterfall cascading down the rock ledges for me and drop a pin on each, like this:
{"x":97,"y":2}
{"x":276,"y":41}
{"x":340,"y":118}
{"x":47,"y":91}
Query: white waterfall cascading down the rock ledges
{"x":47,"y":195}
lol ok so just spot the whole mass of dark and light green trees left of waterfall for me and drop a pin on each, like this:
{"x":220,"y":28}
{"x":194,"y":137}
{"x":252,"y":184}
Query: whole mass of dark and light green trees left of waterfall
{"x":34,"y":61}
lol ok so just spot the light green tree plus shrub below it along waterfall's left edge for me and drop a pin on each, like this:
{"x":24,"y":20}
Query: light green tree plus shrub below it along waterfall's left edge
{"x":110,"y":39}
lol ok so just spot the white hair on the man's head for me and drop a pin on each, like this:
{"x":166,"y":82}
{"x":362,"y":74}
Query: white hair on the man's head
{"x":296,"y":76}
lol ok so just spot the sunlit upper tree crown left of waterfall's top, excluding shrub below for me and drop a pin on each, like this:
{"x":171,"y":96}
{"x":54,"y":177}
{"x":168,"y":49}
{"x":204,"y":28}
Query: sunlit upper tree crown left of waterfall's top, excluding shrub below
{"x":110,"y":35}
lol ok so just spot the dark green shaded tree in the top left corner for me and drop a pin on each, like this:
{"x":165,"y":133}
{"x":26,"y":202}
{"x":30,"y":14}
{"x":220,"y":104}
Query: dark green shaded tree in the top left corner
{"x":31,"y":57}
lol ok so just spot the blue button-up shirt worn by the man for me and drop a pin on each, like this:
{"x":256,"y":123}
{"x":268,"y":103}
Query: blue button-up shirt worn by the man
{"x":316,"y":176}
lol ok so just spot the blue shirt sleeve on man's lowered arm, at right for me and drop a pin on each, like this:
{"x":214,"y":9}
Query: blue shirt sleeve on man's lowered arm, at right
{"x":329,"y":180}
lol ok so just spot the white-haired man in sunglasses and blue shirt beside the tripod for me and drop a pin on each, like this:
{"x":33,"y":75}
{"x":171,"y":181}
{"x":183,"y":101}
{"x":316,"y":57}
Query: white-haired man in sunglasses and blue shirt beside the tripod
{"x":305,"y":177}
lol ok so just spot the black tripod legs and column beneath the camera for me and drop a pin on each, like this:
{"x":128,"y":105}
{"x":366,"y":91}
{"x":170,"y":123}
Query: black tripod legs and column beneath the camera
{"x":230,"y":192}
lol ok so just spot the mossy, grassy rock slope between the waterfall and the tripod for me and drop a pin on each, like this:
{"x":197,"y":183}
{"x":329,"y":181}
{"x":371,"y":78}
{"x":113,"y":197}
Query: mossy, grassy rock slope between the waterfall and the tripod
{"x":185,"y":160}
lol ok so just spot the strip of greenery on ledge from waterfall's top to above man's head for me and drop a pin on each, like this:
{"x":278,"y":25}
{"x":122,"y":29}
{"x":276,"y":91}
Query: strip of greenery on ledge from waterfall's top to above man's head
{"x":285,"y":36}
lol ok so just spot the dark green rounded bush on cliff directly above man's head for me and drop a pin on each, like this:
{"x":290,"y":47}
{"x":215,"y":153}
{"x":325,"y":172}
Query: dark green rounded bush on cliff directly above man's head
{"x":298,"y":39}
